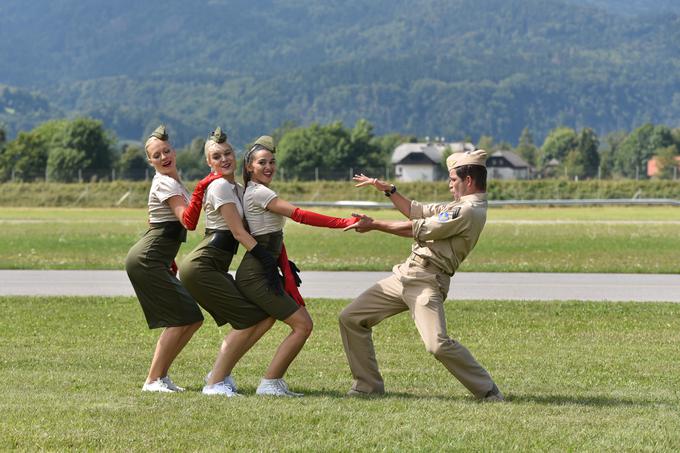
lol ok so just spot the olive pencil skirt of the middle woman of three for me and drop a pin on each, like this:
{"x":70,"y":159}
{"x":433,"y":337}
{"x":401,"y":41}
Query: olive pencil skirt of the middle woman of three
{"x":205,"y":274}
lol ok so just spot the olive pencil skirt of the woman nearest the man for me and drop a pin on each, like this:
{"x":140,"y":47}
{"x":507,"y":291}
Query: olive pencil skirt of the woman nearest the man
{"x":252,"y":282}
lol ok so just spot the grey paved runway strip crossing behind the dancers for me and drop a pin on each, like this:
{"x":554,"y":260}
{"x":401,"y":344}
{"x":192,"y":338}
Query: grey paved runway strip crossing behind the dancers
{"x":465,"y":285}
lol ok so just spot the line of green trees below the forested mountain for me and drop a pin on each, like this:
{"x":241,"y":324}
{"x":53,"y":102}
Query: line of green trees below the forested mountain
{"x":82,"y":149}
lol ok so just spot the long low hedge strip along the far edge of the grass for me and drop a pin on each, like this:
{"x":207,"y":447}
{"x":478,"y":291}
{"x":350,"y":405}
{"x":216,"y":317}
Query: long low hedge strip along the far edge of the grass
{"x":134,"y":194}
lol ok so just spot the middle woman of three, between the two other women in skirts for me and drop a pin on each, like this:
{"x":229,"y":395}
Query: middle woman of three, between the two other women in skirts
{"x":205,"y":271}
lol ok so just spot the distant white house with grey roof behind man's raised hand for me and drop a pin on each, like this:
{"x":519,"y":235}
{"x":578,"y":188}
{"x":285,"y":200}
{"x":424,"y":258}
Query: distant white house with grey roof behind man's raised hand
{"x":423,"y":161}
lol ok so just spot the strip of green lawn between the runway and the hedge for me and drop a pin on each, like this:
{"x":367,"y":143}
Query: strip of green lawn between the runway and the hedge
{"x":590,"y":239}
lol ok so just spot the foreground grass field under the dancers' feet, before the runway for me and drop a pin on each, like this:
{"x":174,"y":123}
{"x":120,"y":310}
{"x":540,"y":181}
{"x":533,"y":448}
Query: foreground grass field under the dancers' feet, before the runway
{"x":578,"y":377}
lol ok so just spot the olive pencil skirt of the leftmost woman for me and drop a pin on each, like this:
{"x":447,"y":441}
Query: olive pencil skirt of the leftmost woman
{"x":165,"y":302}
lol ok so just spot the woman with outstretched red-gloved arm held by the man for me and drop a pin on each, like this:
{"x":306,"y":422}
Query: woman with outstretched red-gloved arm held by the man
{"x":265,"y":213}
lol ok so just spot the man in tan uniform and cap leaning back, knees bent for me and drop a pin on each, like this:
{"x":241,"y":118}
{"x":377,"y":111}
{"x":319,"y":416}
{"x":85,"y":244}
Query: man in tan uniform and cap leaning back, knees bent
{"x":444,"y":235}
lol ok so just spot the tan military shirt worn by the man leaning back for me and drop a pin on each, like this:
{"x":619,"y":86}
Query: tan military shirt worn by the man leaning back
{"x":445,"y":233}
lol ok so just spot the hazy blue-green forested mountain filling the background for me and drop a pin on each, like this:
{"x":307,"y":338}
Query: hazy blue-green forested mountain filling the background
{"x":450,"y":68}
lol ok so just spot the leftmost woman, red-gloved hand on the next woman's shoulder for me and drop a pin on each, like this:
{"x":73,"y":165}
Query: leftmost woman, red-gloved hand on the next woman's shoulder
{"x":165,"y":302}
